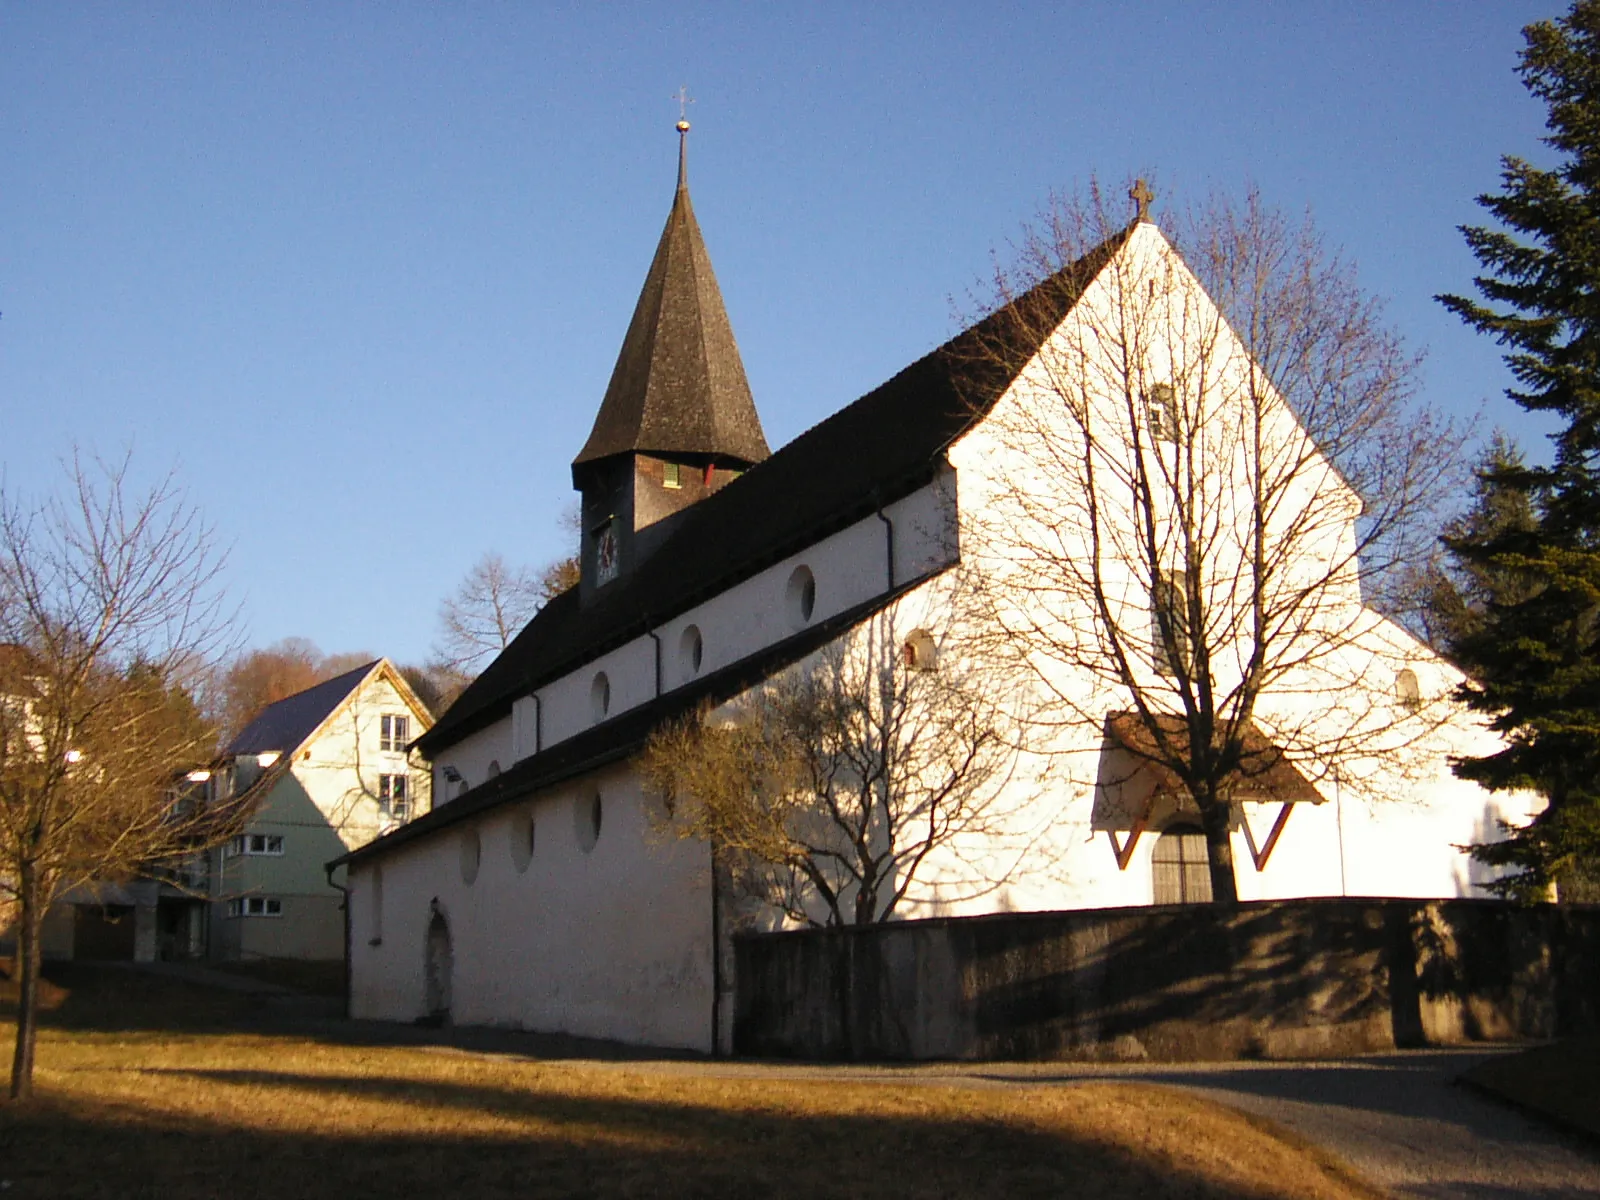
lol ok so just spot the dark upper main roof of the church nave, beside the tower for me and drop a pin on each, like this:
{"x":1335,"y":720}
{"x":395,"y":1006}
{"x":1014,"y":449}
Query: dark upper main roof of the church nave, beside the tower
{"x":870,"y":454}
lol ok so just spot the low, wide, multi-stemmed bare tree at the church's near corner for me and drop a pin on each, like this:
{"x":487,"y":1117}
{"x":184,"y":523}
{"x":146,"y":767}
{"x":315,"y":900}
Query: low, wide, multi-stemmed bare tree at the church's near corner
{"x":826,"y":791}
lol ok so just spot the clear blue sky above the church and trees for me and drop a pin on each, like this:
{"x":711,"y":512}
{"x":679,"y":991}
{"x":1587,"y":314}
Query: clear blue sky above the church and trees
{"x":361,"y":271}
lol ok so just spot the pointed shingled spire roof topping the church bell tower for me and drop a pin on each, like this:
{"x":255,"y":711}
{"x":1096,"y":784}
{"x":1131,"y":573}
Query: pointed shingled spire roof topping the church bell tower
{"x":679,"y":385}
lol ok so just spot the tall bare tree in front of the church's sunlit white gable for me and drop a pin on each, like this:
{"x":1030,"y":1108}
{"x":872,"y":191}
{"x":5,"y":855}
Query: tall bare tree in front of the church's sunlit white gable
{"x":1201,"y":478}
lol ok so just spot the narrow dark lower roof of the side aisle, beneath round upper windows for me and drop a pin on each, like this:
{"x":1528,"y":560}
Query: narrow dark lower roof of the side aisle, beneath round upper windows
{"x":628,"y":732}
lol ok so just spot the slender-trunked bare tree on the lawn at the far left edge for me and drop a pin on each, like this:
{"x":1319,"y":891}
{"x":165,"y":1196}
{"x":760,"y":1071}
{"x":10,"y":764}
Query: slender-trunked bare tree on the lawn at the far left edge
{"x":110,"y":610}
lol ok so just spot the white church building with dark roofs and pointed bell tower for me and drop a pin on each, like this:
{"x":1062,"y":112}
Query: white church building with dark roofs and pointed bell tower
{"x":540,"y":892}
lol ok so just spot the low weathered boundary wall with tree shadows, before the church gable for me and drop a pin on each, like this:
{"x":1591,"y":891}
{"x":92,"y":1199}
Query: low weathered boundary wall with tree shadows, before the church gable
{"x":1265,"y":980}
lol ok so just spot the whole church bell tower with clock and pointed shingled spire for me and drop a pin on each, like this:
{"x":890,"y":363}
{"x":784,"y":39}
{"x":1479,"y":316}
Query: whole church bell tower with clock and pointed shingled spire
{"x":678,"y":420}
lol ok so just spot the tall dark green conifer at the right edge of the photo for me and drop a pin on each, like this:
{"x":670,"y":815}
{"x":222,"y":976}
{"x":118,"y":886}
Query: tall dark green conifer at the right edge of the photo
{"x":1535,"y":657}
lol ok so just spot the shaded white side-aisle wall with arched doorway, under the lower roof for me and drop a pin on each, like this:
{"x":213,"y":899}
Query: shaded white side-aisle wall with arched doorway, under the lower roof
{"x":614,"y":943}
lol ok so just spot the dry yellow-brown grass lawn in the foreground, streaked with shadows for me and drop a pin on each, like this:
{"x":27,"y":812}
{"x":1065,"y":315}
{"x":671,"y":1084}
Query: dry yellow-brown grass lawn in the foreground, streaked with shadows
{"x":148,"y":1111}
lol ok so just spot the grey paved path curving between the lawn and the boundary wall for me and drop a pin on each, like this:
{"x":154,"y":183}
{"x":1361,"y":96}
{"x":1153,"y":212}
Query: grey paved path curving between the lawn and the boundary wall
{"x":1399,"y":1119}
